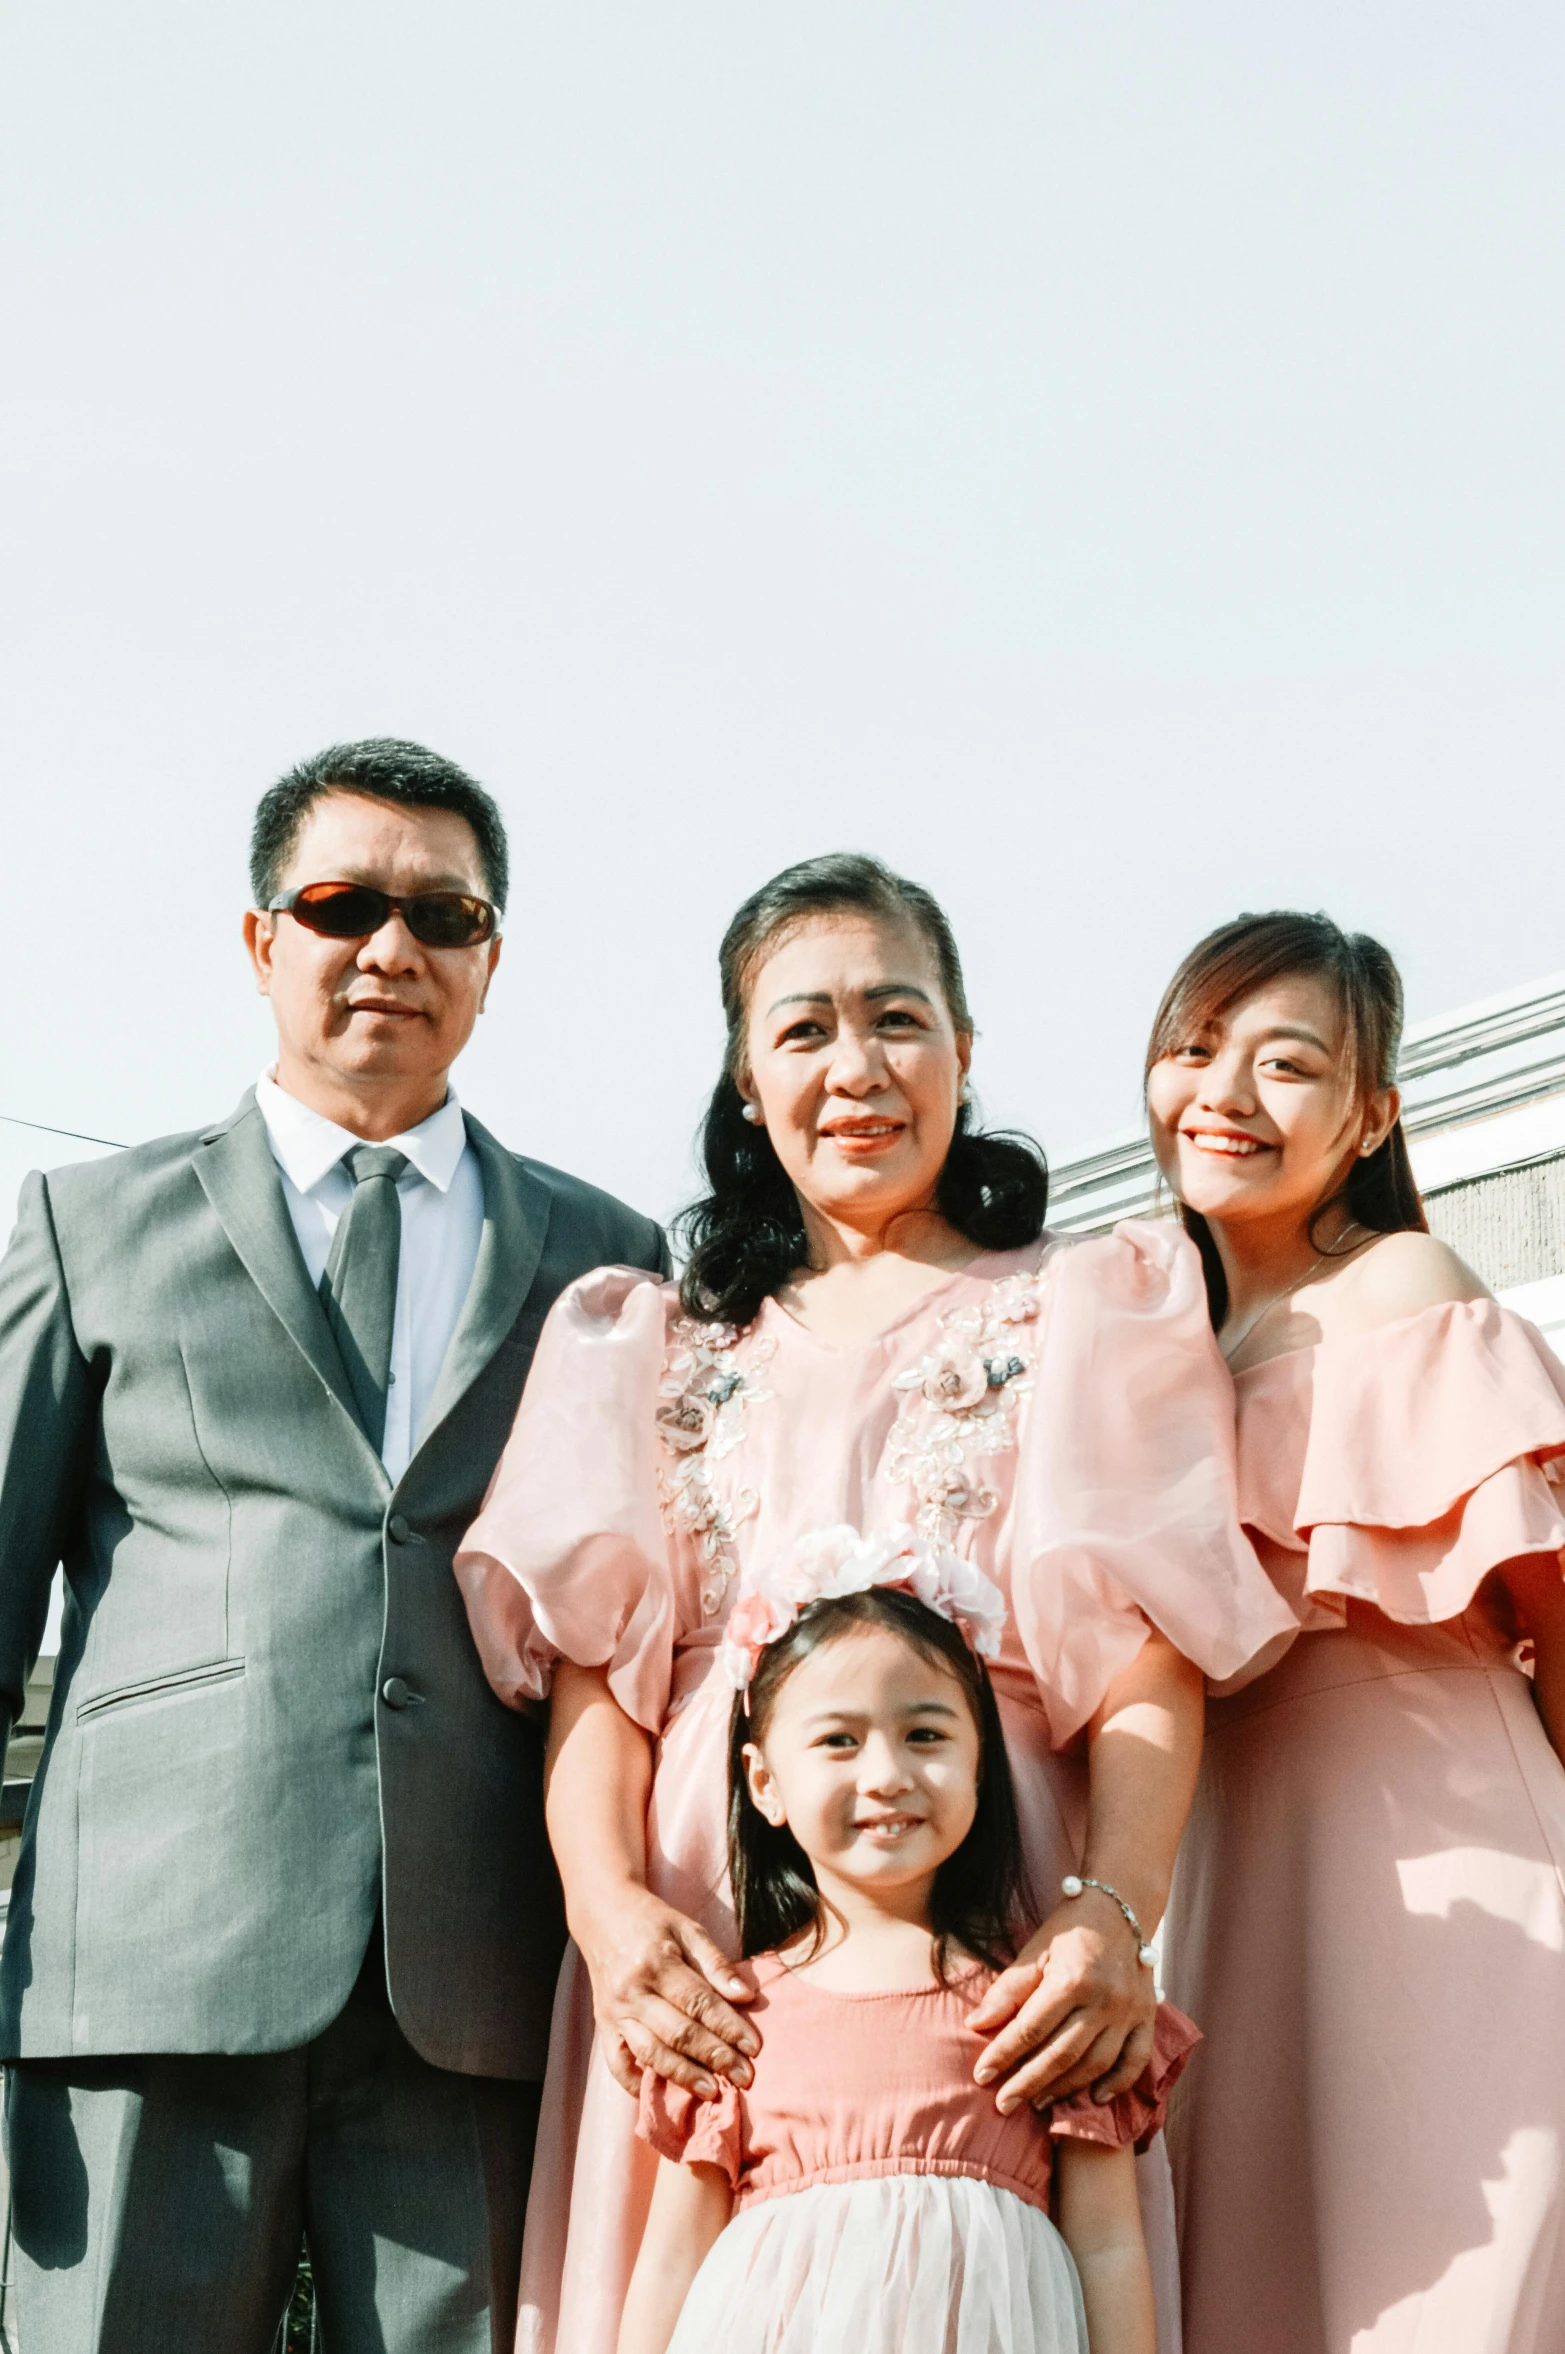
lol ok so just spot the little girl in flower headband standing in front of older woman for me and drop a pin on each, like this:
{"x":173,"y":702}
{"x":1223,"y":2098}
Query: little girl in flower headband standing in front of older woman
{"x":865,"y":2193}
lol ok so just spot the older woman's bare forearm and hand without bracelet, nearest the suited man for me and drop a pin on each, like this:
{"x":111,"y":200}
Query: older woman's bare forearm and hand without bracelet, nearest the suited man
{"x":653,"y":1971}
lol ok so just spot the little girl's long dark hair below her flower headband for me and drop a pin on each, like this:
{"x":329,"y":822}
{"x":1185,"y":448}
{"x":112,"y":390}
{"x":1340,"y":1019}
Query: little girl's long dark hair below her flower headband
{"x":980,"y":1894}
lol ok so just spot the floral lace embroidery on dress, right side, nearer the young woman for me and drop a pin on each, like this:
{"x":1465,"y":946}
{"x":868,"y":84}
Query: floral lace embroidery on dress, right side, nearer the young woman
{"x":964,"y":1402}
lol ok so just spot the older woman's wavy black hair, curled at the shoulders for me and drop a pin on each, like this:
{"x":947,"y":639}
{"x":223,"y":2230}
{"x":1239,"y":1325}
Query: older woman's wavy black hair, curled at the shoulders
{"x":747,"y":1235}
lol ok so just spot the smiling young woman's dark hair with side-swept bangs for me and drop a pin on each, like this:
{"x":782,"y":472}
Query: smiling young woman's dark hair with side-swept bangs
{"x":1253,"y":952}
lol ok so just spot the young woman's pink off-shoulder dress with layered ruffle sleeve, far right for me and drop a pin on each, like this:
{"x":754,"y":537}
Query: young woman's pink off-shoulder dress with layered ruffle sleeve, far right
{"x":1371,"y":1908}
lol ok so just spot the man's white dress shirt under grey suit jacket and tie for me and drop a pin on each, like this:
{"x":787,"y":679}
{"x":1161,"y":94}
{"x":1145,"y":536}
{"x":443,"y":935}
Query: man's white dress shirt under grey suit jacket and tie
{"x":441,"y":1199}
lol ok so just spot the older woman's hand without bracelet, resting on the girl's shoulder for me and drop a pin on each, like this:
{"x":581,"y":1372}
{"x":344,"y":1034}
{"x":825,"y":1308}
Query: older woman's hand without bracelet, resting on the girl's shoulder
{"x":655,"y":1995}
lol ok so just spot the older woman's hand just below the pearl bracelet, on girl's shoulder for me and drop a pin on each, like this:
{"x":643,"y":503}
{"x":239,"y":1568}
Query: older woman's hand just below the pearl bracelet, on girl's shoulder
{"x":1074,"y":2009}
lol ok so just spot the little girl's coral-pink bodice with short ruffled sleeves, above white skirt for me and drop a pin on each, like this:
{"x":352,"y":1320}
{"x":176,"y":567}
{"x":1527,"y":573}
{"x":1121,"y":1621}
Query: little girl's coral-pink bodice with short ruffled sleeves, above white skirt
{"x":881,"y":2084}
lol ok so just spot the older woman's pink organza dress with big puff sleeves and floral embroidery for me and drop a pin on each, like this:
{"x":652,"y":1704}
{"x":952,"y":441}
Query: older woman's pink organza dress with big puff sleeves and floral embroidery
{"x":1058,"y":1414}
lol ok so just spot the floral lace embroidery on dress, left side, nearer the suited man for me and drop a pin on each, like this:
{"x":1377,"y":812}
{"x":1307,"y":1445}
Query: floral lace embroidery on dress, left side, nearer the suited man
{"x":705,"y":1397}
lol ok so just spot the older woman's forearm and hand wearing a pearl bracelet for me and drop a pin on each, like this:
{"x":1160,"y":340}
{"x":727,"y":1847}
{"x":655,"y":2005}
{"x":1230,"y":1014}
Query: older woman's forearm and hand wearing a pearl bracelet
{"x":1079,"y":2004}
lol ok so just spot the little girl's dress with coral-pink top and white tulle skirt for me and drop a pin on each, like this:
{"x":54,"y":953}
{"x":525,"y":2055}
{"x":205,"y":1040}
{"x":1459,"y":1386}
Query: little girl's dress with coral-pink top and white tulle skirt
{"x":881,"y":2202}
